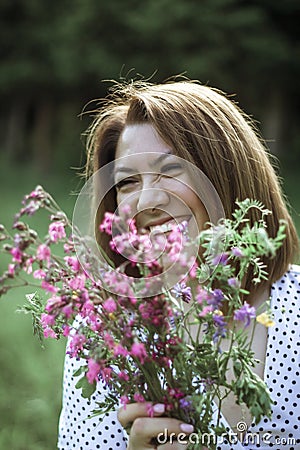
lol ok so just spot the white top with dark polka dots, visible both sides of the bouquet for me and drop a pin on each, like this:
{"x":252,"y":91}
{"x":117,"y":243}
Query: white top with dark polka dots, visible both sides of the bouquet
{"x":281,"y":432}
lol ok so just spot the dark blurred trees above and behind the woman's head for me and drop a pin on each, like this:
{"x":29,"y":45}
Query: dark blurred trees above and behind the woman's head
{"x":55,"y":53}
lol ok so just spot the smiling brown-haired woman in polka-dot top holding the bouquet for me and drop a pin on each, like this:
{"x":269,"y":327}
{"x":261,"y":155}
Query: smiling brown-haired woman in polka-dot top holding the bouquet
{"x":151,"y":128}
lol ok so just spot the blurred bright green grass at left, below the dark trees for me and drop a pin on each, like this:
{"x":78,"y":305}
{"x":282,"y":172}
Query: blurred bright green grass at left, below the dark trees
{"x":31,"y":377}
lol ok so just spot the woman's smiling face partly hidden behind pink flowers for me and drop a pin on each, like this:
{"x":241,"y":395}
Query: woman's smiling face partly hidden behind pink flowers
{"x":154,"y":182}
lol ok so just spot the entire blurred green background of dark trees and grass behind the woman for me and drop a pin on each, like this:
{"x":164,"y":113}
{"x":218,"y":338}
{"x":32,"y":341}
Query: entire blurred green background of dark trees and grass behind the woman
{"x":54,"y":58}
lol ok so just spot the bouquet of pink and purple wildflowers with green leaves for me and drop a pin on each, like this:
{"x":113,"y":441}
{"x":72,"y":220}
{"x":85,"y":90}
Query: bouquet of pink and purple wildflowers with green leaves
{"x":145,"y":341}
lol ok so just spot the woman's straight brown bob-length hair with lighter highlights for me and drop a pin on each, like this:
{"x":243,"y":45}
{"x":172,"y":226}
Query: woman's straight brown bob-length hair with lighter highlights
{"x":206,"y":128}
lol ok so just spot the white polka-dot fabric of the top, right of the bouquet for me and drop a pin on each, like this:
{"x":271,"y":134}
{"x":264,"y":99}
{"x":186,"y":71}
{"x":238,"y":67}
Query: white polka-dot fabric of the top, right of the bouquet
{"x":282,"y":431}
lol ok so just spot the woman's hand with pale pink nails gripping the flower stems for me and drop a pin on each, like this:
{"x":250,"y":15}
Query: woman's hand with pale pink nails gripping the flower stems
{"x":153,"y":432}
